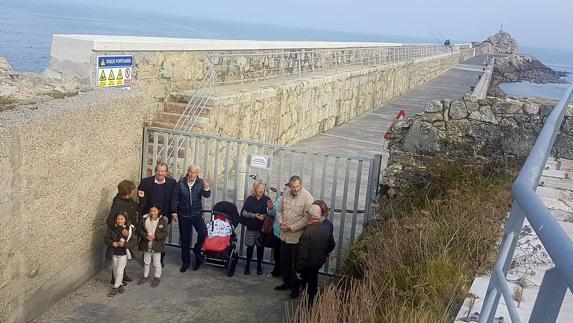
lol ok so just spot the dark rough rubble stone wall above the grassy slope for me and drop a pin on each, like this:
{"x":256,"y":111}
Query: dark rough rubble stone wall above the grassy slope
{"x":466,"y":127}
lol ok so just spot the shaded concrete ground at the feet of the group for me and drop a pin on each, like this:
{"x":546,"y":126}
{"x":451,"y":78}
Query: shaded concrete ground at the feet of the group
{"x":206,"y":295}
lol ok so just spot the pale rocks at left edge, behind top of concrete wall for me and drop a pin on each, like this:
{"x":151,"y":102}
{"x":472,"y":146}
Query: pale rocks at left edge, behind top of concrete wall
{"x":28,"y":88}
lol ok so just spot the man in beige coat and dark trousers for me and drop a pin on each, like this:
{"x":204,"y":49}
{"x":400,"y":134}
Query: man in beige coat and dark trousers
{"x":292,"y":219}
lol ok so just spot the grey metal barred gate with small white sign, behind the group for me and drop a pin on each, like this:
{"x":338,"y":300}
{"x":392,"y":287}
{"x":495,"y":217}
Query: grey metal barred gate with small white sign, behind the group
{"x":348,"y":184}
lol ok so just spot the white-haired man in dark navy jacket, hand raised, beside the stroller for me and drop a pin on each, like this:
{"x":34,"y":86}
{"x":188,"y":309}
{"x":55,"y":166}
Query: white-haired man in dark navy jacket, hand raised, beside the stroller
{"x":187,"y":206}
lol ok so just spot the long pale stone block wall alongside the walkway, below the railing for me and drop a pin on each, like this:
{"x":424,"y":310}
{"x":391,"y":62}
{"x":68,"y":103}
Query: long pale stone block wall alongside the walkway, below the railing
{"x":302,"y":108}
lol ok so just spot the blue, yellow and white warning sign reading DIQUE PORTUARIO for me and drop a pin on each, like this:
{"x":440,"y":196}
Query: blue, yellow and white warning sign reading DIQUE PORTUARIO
{"x":114,"y":71}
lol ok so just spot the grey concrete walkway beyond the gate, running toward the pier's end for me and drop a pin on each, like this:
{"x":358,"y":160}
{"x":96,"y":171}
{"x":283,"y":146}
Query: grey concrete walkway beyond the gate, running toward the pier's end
{"x":364,"y":135}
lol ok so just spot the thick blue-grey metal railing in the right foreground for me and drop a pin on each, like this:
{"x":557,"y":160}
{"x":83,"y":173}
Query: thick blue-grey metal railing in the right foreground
{"x":559,"y":246}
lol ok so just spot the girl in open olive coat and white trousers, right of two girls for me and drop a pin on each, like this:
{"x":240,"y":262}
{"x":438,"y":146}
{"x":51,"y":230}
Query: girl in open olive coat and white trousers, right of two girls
{"x":153,"y":231}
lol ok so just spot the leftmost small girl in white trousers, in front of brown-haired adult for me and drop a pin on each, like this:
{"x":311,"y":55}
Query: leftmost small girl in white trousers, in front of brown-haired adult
{"x":119,"y":245}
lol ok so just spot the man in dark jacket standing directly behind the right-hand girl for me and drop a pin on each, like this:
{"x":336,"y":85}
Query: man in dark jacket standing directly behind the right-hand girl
{"x":157,"y":190}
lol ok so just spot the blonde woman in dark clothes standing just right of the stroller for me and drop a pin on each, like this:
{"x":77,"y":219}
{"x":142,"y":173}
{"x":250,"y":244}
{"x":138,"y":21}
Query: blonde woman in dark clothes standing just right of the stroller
{"x":253,"y":214}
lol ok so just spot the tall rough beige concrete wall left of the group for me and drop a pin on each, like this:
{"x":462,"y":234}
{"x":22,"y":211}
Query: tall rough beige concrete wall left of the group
{"x":61,"y":162}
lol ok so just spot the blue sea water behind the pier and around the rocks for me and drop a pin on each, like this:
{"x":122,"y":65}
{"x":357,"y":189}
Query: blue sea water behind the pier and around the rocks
{"x":27,"y":26}
